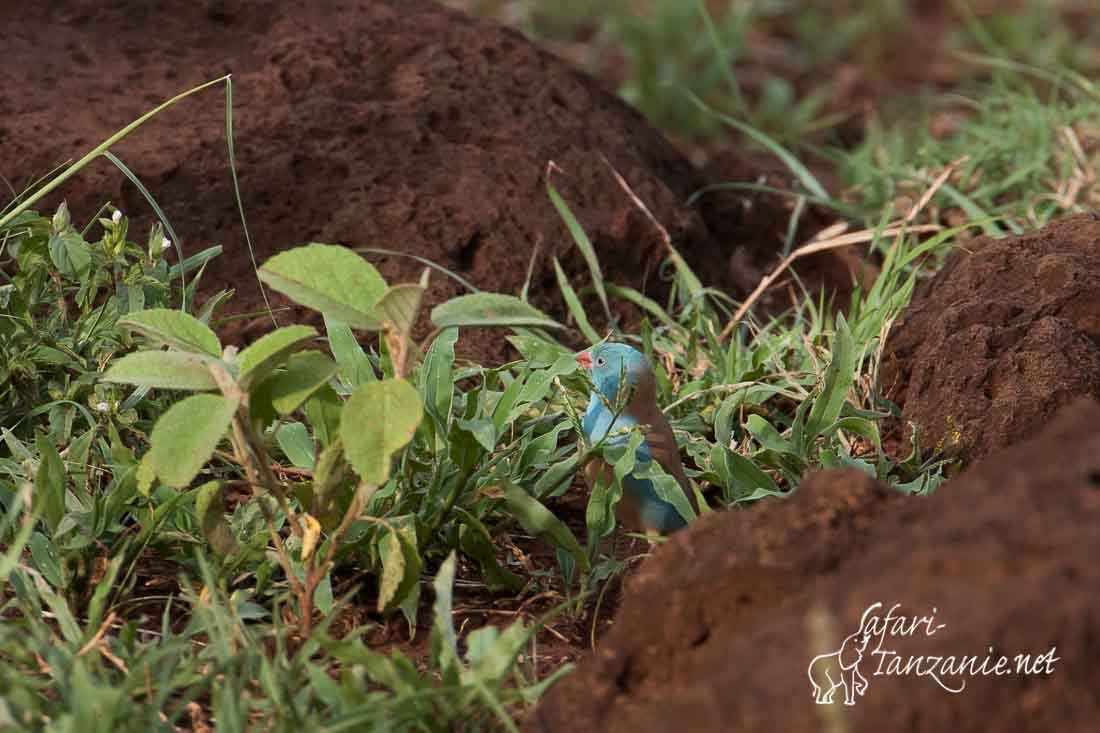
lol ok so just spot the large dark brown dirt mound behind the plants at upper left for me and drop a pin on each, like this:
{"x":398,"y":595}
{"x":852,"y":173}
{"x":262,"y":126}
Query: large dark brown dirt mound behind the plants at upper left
{"x":391,"y":124}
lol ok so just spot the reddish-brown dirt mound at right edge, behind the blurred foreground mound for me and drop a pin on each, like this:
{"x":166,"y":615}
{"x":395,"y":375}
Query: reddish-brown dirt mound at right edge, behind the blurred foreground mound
{"x":1003,"y":337}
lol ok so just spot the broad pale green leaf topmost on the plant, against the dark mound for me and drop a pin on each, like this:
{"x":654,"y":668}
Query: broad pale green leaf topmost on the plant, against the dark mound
{"x":329,"y":279}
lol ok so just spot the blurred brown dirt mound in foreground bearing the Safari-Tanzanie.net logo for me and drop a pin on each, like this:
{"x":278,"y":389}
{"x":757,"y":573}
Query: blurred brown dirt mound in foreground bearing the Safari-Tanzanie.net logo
{"x":718,"y":630}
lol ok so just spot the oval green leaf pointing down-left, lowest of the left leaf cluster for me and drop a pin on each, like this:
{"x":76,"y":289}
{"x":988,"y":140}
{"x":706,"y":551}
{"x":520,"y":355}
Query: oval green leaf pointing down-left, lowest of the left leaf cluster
{"x":186,"y":436}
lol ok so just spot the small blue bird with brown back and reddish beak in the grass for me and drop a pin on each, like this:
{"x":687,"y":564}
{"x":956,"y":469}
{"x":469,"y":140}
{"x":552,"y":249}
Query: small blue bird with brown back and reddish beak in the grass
{"x":641,"y":509}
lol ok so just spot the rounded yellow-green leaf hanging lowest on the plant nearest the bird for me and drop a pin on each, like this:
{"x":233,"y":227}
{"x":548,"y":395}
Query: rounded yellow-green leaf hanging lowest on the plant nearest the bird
{"x":379,"y":420}
